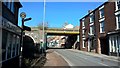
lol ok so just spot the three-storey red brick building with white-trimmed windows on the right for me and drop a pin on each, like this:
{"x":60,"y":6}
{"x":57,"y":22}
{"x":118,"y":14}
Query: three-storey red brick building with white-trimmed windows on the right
{"x":99,"y":30}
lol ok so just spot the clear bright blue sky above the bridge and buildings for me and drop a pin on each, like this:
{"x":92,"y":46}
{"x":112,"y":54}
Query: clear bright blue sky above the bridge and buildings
{"x":57,"y":13}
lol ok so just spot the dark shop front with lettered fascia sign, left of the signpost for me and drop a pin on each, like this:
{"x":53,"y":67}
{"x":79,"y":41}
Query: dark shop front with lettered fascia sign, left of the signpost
{"x":11,"y":35}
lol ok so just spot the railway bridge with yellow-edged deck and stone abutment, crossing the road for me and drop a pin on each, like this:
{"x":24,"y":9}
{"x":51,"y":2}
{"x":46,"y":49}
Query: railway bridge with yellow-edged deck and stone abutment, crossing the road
{"x":66,"y":38}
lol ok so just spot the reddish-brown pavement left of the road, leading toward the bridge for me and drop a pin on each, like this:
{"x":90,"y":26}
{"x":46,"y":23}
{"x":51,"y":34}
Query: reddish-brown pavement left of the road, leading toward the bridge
{"x":54,"y":60}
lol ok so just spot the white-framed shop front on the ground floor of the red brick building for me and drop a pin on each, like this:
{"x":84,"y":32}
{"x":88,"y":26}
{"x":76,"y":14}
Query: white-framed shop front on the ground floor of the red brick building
{"x":114,"y":44}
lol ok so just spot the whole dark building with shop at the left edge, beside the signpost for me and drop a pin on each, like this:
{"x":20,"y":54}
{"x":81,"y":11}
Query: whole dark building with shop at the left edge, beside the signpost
{"x":11,"y":33}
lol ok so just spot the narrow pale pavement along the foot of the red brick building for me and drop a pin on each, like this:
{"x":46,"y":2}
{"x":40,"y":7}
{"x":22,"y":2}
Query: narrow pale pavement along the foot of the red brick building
{"x":112,"y":58}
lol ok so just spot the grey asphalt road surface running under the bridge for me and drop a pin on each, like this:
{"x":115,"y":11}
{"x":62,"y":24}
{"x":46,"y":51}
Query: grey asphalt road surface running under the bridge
{"x":80,"y":60}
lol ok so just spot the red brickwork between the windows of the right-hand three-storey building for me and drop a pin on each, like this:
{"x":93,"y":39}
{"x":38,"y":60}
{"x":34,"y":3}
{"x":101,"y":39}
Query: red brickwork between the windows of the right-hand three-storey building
{"x":110,"y":25}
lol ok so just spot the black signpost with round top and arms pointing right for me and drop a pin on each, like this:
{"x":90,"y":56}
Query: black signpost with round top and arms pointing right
{"x":23,"y":27}
